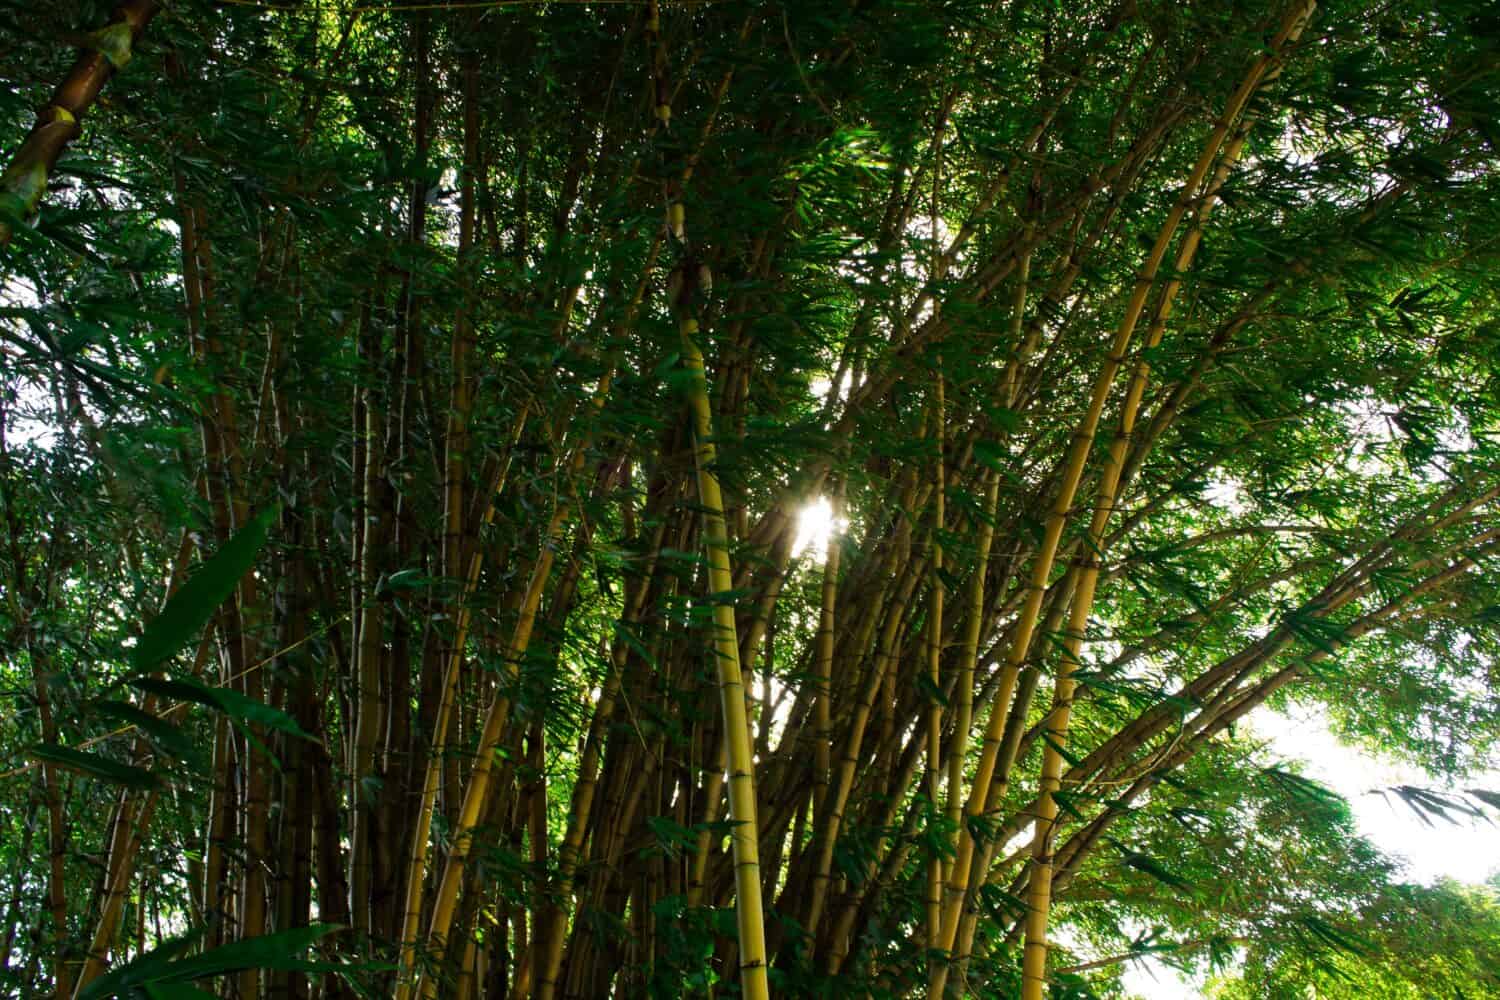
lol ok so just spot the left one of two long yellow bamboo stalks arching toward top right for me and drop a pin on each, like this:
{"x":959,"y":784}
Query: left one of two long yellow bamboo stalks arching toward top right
{"x":1078,"y":458}
